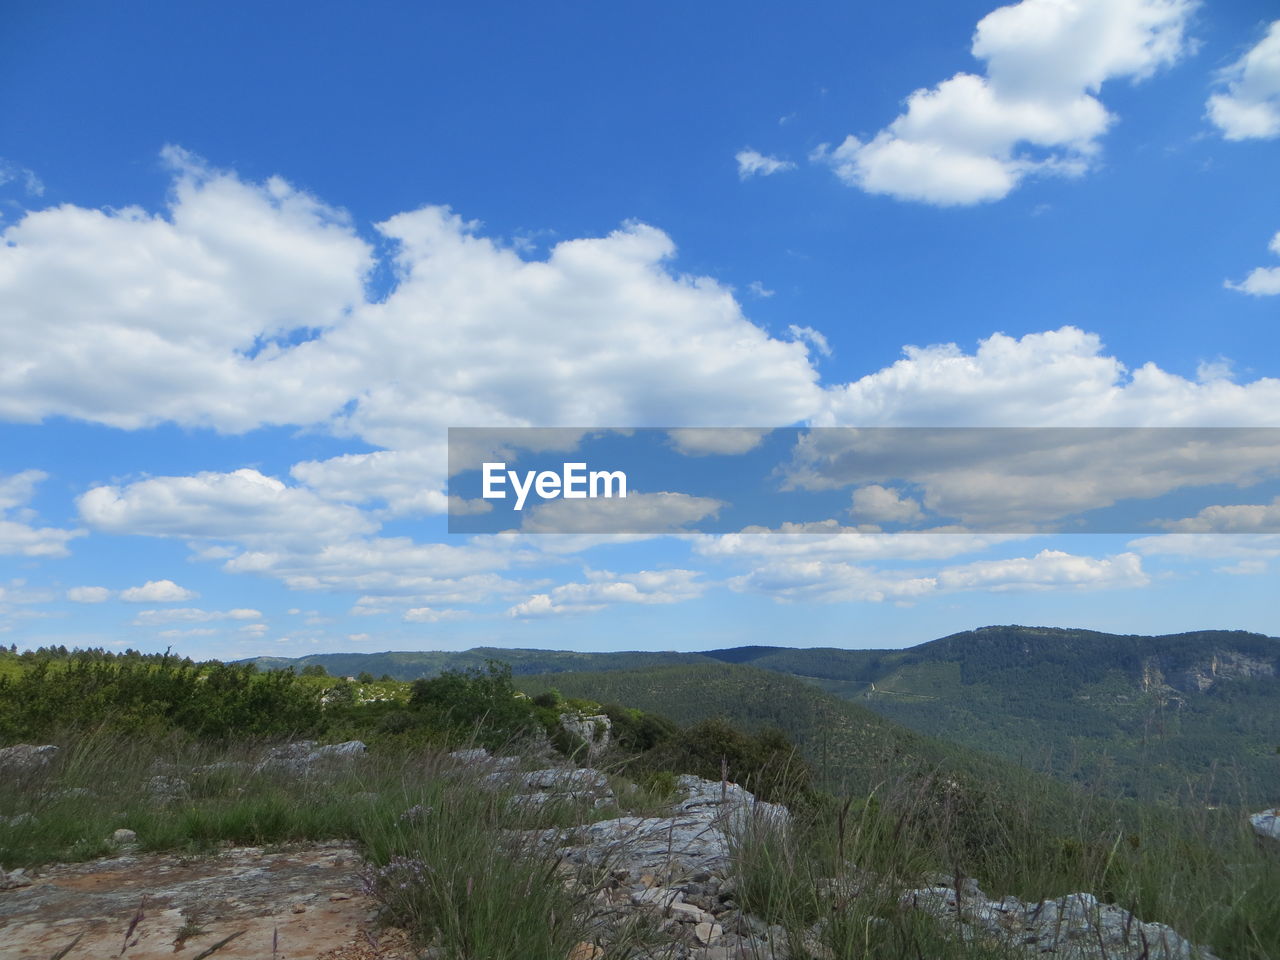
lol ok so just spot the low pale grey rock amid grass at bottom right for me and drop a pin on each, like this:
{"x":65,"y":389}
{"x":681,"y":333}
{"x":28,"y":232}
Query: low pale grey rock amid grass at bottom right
{"x":1076,"y":927}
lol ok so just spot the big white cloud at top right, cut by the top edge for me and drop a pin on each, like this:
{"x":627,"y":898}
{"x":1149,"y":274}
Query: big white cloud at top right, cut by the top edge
{"x":973,"y":139}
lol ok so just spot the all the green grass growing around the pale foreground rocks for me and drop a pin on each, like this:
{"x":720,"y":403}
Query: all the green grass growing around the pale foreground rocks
{"x":459,"y":867}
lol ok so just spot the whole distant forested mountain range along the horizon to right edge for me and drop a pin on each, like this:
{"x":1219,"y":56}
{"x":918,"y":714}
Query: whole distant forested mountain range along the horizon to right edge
{"x":1187,"y":717}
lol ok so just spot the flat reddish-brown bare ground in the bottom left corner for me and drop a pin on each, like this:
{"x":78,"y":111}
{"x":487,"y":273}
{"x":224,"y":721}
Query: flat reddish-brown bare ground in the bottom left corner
{"x":307,"y":903}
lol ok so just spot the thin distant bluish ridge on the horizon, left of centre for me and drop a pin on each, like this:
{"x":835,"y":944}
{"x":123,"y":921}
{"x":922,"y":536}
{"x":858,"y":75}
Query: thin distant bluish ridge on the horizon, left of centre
{"x":412,"y":665}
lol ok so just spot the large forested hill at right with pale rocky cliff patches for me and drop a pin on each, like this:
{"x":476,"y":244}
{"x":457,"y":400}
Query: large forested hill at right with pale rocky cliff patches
{"x":1160,"y":716}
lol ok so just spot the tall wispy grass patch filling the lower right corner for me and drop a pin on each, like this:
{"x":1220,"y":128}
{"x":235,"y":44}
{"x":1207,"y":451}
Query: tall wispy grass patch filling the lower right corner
{"x":1199,"y":871}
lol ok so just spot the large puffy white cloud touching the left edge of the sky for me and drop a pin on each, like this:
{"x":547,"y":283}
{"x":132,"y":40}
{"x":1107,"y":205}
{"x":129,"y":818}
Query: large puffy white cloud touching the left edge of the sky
{"x":130,"y":319}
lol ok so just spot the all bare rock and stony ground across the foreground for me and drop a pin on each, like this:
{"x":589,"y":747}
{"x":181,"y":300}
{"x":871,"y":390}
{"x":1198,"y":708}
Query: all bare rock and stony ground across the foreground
{"x":673,"y":875}
